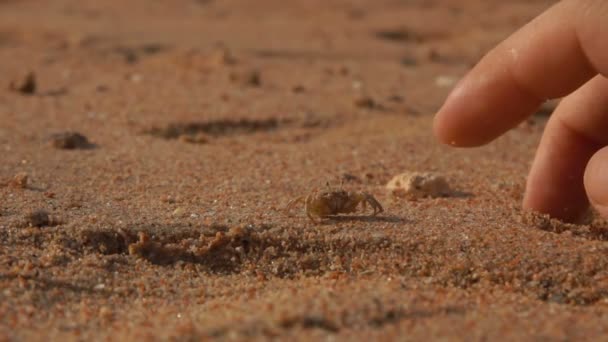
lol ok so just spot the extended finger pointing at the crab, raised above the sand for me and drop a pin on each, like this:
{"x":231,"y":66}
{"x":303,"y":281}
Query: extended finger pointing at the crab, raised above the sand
{"x":548,"y":58}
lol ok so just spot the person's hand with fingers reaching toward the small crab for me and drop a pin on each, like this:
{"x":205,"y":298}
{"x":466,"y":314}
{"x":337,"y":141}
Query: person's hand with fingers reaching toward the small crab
{"x":561,"y":53}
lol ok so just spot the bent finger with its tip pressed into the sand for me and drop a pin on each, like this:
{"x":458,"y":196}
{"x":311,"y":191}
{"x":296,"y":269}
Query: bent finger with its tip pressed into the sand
{"x":575,"y":131}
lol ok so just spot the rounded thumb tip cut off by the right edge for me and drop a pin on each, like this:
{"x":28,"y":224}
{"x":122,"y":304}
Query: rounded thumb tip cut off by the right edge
{"x":596,"y":181}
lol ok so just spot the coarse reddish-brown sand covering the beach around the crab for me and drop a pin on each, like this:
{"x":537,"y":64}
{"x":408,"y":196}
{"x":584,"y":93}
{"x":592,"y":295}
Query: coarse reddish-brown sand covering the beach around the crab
{"x":204,"y":118}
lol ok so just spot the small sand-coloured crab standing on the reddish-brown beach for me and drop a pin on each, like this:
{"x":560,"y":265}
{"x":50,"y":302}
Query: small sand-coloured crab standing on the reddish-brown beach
{"x":332,"y":202}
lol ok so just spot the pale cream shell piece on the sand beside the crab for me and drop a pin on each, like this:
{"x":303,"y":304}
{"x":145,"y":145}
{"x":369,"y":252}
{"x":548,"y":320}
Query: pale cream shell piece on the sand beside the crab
{"x":419,"y":184}
